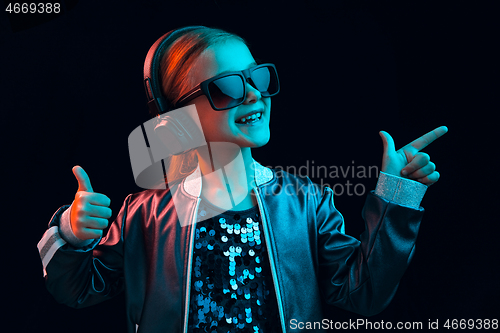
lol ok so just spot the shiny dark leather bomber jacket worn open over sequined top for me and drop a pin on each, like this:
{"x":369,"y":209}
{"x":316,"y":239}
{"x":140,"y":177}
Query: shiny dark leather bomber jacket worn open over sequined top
{"x":147,"y":252}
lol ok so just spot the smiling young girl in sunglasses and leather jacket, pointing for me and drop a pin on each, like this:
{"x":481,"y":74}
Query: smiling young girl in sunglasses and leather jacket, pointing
{"x":249,"y":249}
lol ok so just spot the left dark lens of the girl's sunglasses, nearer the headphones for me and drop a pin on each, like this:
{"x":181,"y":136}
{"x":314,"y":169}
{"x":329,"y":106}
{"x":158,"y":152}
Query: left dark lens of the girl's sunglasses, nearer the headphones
{"x":227,"y":91}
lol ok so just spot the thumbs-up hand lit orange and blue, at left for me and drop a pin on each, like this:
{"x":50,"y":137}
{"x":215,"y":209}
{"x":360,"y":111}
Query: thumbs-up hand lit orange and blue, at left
{"x":90,"y":211}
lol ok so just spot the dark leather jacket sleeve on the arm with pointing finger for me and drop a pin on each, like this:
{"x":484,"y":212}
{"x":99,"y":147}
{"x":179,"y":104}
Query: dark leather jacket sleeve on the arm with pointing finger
{"x":363,"y":276}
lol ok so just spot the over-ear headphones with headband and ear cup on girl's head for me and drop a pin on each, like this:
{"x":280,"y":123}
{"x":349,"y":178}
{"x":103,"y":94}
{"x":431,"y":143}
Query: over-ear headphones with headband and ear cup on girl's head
{"x":177,"y":130}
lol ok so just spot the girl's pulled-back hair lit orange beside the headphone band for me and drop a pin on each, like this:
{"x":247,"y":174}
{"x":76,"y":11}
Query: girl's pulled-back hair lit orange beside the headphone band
{"x":175,"y":66}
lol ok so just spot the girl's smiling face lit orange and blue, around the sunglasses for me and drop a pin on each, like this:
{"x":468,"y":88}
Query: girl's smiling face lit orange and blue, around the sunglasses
{"x":221,"y":126}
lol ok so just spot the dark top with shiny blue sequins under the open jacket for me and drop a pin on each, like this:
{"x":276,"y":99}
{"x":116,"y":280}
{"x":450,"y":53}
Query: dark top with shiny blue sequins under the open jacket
{"x":231,"y":284}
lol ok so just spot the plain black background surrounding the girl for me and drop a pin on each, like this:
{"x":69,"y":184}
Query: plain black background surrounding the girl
{"x":71,"y":93}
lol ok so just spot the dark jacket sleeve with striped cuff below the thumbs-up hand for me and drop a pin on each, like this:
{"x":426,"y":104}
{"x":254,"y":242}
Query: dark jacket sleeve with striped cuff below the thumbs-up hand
{"x":83,"y":276}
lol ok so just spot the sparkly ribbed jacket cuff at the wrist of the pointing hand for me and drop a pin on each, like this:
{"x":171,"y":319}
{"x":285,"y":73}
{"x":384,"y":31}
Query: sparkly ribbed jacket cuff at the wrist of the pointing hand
{"x":402,"y":191}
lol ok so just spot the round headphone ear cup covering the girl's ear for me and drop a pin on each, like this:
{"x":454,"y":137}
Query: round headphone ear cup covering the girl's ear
{"x":179,"y":133}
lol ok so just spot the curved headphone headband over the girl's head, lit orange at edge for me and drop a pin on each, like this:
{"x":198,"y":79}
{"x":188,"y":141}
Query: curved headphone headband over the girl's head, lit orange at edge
{"x":157,"y":103}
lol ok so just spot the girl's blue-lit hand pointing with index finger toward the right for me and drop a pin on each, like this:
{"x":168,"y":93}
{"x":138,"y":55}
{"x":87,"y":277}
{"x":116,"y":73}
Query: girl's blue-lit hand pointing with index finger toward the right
{"x":409,"y":162}
